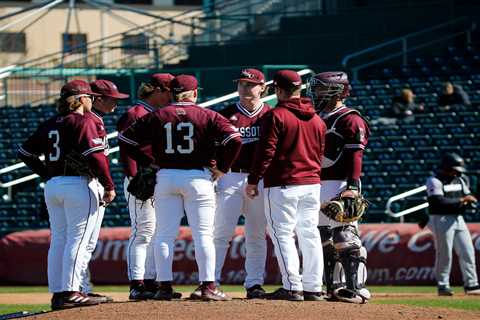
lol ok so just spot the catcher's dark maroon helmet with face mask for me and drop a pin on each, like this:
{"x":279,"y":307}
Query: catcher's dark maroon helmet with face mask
{"x":326,"y":88}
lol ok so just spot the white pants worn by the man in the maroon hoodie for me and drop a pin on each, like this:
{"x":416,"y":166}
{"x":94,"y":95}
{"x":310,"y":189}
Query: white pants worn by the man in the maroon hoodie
{"x":290,"y":210}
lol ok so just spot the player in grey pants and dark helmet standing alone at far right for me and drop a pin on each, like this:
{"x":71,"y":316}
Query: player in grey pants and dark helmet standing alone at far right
{"x":448,"y":198}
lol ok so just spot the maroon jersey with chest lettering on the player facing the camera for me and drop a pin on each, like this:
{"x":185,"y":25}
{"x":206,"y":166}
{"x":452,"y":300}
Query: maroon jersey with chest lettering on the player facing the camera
{"x":248,"y":124}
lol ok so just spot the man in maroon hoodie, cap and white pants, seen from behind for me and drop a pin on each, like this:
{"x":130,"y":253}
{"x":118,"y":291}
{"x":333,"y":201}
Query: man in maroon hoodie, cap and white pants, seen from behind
{"x":288,"y":157}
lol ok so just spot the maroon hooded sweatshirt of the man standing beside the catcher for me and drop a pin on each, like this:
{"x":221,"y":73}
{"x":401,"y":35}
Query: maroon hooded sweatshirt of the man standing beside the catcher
{"x":291,"y":145}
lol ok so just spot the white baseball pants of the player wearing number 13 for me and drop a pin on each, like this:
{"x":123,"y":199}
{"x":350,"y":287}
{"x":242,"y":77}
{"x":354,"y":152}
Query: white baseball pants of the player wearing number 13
{"x":191,"y":191}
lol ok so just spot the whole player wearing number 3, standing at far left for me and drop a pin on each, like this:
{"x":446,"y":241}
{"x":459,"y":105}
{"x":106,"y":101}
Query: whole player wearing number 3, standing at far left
{"x":78,"y":179}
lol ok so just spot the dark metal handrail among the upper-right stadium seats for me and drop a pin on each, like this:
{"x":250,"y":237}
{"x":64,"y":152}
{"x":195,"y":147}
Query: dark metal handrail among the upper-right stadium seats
{"x":402,"y":46}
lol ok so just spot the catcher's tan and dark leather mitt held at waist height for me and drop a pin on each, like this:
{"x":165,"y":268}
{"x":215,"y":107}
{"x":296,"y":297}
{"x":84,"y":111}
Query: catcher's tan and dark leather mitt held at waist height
{"x":345,"y":209}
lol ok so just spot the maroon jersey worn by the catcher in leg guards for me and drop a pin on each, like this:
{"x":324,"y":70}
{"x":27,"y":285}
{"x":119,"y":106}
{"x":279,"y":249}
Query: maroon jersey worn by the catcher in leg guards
{"x":347,"y":137}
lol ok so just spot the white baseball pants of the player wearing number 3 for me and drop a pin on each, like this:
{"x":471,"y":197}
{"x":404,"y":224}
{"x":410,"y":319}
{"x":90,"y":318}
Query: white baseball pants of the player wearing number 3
{"x":72,"y":204}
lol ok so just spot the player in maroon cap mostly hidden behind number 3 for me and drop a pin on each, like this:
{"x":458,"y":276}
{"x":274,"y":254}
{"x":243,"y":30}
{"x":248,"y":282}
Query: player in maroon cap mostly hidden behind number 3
{"x":105,"y":103}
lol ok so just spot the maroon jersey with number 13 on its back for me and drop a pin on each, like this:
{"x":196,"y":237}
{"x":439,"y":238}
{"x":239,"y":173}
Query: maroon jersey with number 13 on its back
{"x":183,"y":136}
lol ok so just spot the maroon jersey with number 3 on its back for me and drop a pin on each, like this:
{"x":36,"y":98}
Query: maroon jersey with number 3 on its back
{"x":61,"y":135}
